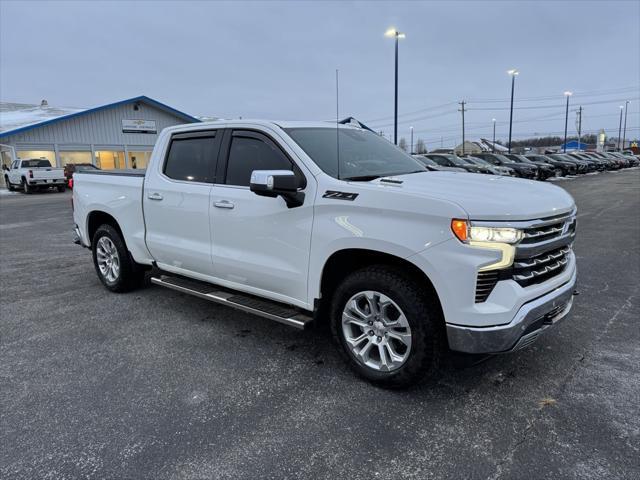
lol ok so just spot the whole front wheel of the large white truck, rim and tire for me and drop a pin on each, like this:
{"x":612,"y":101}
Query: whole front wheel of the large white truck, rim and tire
{"x":389,"y":329}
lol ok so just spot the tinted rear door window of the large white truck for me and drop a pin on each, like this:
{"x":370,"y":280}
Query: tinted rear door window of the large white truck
{"x":192,"y":159}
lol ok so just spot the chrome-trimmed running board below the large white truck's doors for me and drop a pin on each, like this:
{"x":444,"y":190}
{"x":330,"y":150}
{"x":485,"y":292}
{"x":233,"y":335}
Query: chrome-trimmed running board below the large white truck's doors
{"x":264,"y":308}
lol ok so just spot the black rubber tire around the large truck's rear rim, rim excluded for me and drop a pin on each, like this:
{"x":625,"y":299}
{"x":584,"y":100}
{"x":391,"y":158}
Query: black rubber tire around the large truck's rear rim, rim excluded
{"x":130,"y":275}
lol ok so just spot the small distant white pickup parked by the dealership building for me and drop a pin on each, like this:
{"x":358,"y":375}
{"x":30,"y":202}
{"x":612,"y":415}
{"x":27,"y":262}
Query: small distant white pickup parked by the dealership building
{"x":34,"y":174}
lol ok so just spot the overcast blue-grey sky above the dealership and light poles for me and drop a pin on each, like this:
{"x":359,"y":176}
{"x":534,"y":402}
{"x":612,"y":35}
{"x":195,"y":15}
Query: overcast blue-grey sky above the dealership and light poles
{"x":278,"y":60}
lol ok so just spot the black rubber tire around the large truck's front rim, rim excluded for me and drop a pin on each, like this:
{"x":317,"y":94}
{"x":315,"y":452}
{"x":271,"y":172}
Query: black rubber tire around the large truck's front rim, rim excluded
{"x":428,"y":339}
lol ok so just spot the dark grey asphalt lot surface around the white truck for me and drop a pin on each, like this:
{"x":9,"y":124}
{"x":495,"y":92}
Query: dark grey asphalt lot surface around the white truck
{"x":156,"y":384}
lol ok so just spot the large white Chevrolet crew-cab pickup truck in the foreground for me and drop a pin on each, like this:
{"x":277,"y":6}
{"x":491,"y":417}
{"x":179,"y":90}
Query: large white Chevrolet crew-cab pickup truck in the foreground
{"x":301,"y":222}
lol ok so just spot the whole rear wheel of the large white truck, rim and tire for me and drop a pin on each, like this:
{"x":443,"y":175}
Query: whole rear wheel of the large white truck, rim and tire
{"x":113,"y":263}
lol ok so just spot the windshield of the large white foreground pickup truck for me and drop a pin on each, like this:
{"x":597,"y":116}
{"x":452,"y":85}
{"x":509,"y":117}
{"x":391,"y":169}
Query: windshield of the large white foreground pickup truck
{"x":363,"y":154}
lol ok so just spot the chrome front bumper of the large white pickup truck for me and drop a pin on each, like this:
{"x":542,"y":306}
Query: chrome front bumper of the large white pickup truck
{"x":533,"y":318}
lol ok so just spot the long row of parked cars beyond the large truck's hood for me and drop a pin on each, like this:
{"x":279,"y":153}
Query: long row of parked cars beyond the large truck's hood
{"x":534,"y":166}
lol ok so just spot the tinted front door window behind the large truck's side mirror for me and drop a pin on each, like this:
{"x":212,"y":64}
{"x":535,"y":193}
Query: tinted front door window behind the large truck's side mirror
{"x":247,"y":154}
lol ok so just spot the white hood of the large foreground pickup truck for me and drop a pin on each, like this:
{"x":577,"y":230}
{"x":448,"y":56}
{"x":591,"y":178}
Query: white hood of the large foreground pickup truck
{"x":486,"y":197}
